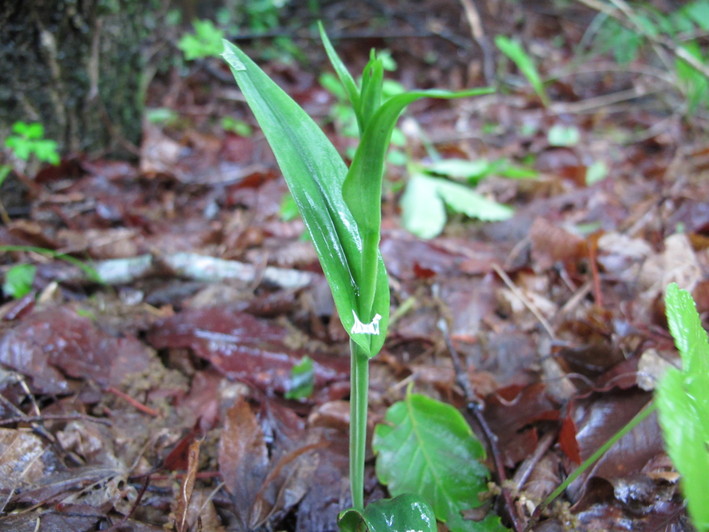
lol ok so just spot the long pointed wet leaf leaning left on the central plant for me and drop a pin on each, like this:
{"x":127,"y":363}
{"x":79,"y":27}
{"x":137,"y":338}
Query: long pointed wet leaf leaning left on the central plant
{"x":315,"y":173}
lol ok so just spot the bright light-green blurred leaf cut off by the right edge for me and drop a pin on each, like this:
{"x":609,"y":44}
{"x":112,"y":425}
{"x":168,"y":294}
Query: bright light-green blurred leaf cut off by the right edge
{"x":683,"y":403}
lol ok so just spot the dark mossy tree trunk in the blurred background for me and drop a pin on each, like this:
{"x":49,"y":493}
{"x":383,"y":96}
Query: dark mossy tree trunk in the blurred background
{"x":76,"y":67}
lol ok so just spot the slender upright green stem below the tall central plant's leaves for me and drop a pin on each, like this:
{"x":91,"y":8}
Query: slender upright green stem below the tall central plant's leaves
{"x":359,"y":386}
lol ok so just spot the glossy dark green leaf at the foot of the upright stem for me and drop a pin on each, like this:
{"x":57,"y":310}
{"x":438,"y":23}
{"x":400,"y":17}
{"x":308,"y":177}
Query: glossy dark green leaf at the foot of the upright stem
{"x":405,"y":513}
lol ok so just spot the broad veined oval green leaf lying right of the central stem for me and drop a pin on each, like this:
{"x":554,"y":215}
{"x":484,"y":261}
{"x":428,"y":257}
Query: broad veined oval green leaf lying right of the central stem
{"x":426,"y":447}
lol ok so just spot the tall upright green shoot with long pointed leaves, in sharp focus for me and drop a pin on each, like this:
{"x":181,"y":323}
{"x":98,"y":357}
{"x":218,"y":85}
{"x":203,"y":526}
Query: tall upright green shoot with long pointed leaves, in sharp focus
{"x":341,"y":208}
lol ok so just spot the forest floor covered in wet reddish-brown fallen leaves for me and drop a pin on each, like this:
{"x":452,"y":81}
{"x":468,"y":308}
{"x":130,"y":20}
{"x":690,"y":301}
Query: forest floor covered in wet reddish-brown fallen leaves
{"x":156,"y":398}
